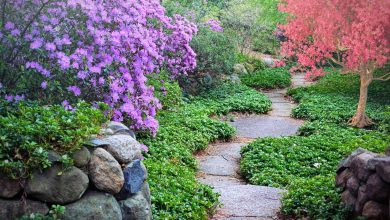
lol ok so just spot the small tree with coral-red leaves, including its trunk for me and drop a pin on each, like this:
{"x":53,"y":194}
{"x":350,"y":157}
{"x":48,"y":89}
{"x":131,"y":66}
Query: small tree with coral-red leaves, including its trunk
{"x":354,"y":34}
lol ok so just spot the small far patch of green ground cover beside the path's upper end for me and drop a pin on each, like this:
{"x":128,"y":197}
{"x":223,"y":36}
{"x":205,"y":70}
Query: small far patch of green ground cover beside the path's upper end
{"x":269,"y":78}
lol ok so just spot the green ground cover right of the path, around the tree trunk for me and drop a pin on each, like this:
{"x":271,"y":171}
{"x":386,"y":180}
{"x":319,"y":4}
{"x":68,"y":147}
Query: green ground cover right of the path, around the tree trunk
{"x":305,"y":164}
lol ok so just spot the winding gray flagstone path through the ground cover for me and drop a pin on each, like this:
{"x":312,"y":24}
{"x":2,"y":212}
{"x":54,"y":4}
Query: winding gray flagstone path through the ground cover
{"x":219,"y":164}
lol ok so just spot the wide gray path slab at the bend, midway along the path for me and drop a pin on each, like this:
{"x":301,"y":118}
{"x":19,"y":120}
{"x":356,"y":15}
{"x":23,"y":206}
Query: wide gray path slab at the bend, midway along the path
{"x":256,"y":126}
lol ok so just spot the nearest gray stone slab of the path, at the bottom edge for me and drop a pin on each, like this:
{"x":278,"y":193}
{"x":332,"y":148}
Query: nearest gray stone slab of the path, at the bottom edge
{"x":249,"y":201}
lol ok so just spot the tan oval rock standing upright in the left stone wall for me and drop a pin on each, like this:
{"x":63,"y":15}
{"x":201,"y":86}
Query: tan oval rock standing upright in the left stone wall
{"x":105,"y":172}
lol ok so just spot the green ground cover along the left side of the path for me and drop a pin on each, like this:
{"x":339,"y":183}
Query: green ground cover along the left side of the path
{"x":175,"y":192}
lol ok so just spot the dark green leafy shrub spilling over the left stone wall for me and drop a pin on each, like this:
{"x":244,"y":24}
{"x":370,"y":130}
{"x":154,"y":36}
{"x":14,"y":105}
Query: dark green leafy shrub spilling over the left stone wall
{"x":28,"y":131}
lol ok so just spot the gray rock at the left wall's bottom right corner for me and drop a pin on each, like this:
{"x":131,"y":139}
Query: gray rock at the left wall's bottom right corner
{"x":135,"y":208}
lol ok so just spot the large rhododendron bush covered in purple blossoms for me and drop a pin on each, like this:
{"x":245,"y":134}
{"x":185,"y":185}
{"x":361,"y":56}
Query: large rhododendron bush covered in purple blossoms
{"x":96,"y":50}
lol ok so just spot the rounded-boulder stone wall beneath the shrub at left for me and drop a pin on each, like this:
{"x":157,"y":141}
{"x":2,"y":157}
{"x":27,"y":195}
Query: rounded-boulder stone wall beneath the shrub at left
{"x":107,"y":181}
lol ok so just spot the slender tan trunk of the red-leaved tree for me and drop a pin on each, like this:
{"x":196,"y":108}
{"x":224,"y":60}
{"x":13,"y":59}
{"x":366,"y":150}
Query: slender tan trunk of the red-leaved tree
{"x":360,"y":119}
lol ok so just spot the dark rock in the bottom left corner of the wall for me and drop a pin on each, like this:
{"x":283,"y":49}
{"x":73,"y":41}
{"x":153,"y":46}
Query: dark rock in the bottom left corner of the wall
{"x":13,"y":209}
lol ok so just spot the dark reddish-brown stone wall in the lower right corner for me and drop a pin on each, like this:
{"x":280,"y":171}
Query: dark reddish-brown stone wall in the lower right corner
{"x":365,"y":179}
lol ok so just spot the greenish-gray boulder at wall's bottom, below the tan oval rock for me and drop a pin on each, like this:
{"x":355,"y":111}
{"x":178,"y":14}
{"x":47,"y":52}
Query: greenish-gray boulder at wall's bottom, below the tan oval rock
{"x":93,"y":206}
